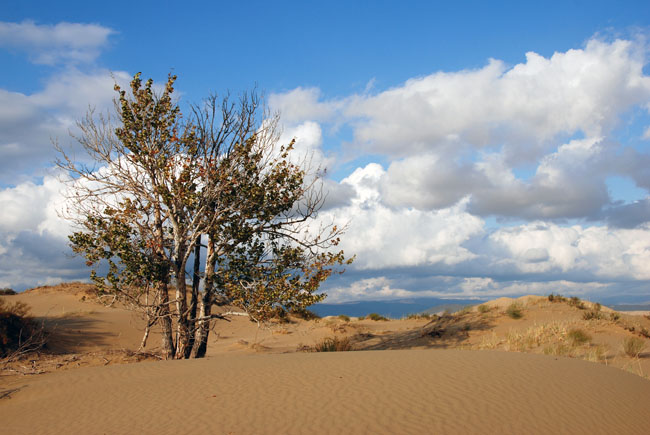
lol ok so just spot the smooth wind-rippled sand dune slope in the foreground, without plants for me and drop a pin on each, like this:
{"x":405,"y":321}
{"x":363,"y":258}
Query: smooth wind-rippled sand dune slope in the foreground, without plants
{"x":430,"y":391}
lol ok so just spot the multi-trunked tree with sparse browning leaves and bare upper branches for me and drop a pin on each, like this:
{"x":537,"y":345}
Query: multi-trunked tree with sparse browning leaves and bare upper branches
{"x":160,"y":186}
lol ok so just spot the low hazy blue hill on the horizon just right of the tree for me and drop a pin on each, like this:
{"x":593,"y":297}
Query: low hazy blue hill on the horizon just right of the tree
{"x":393,"y":309}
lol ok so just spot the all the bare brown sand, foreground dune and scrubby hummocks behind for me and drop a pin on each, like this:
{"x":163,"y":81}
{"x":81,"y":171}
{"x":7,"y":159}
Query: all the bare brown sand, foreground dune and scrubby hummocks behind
{"x":255,"y":382}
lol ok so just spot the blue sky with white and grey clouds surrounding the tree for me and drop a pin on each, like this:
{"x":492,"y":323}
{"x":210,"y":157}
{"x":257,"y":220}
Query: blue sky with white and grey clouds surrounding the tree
{"x":476,"y":149}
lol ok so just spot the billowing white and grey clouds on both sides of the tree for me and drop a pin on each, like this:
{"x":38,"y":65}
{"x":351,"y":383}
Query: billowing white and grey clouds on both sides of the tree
{"x":473,"y":183}
